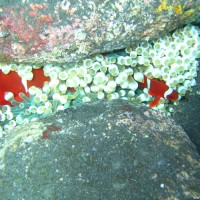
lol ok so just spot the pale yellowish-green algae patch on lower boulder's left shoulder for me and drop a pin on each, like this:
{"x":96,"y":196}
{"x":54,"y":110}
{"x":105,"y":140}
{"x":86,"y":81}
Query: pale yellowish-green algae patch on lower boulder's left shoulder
{"x":20,"y":136}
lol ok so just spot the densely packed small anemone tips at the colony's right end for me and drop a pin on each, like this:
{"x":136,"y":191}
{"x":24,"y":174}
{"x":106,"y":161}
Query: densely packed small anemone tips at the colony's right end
{"x":171,"y":58}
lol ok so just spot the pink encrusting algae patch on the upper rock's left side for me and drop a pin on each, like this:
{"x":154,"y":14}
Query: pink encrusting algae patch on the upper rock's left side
{"x":25,"y":31}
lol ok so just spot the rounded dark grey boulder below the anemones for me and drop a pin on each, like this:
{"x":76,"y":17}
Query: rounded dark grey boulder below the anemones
{"x":105,"y":150}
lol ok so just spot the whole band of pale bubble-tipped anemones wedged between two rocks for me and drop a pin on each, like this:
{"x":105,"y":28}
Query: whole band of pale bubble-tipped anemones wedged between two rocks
{"x":168,"y":61}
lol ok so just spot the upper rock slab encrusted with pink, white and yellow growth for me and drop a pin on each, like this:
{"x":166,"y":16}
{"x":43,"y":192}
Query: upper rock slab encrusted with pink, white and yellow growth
{"x":65,"y":31}
